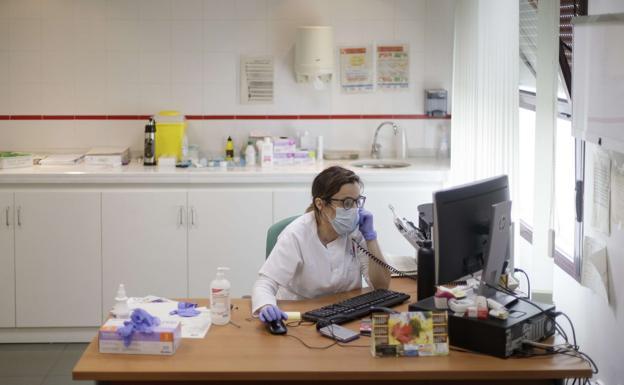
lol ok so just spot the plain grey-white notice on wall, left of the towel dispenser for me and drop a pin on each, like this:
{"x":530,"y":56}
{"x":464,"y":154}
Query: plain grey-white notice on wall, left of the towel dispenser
{"x":256,"y":80}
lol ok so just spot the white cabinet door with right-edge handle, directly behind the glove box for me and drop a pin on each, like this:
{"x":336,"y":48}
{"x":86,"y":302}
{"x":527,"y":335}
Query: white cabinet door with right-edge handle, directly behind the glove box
{"x":144,"y":244}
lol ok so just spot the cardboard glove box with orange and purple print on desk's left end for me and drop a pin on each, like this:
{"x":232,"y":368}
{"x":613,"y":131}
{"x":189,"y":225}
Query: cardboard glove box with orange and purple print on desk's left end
{"x":163,"y":341}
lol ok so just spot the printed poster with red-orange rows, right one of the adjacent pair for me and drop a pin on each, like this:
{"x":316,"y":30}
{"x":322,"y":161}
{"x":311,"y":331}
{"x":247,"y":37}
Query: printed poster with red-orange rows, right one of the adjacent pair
{"x":393,"y":66}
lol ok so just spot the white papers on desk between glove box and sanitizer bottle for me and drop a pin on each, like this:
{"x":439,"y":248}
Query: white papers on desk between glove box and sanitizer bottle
{"x":192,"y":327}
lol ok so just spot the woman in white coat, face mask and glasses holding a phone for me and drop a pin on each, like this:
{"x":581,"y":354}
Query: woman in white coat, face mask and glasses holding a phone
{"x":316,"y":254}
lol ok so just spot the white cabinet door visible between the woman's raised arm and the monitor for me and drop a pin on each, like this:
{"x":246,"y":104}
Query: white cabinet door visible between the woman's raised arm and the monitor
{"x":405,"y":201}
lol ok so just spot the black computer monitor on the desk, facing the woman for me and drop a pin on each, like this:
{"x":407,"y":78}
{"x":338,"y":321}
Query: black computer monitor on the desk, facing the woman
{"x":461,"y":226}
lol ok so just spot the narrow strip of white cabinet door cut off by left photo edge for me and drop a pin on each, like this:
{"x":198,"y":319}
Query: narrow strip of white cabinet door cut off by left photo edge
{"x":7,"y":261}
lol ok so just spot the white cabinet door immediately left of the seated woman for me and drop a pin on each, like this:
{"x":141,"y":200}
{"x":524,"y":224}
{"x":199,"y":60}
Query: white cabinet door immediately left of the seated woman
{"x":227,"y":228}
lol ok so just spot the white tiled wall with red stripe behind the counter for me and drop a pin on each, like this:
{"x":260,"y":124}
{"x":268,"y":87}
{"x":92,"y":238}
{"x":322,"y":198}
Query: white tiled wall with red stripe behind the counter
{"x":136,"y":57}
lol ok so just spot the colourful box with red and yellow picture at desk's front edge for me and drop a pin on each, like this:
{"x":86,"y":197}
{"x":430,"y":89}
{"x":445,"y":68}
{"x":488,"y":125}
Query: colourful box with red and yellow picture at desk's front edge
{"x":418,"y":333}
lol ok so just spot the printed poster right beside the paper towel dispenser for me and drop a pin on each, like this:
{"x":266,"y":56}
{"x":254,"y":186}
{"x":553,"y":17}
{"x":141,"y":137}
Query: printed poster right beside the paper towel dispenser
{"x":356,"y":69}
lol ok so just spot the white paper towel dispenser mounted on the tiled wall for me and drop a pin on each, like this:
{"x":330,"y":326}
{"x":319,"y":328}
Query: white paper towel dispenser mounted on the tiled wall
{"x":314,"y":55}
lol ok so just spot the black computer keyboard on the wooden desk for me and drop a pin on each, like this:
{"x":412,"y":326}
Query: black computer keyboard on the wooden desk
{"x":355,"y":307}
